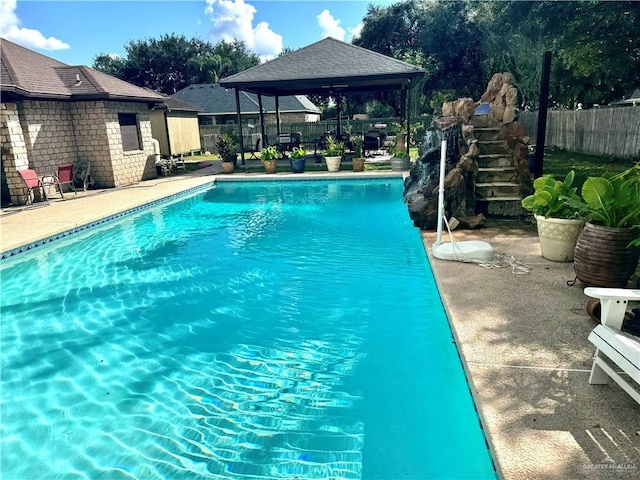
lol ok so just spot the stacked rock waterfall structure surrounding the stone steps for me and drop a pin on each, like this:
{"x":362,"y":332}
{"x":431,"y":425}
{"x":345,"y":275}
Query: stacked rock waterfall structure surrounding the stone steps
{"x":462,"y":199}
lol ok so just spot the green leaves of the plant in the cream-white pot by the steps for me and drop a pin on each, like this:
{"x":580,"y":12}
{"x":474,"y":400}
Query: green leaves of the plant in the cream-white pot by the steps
{"x":554,"y":198}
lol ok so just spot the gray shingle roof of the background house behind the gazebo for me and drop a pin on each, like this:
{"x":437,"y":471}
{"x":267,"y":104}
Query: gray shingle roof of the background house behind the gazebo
{"x":216,"y":100}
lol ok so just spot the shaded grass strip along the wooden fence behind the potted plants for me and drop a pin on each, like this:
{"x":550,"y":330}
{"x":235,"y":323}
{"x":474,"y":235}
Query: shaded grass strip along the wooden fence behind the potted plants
{"x":560,"y":162}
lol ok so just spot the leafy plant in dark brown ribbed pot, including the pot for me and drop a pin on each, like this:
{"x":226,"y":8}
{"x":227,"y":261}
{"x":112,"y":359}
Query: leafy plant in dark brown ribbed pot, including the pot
{"x":606,"y":253}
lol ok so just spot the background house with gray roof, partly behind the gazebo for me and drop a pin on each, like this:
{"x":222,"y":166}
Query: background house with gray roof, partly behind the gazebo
{"x":218,"y":106}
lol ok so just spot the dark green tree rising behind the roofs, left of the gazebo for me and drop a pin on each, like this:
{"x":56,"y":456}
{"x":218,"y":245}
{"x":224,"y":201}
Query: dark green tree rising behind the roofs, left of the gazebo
{"x":171,"y":62}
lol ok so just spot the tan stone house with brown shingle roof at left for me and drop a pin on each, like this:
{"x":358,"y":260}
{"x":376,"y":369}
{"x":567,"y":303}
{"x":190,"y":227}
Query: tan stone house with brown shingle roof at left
{"x":54,"y":114}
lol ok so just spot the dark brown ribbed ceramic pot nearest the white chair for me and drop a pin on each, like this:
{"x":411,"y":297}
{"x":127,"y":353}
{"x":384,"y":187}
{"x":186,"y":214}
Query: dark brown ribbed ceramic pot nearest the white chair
{"x":603,"y":257}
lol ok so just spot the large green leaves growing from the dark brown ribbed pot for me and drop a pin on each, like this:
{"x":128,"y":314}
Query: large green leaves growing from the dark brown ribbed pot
{"x":613,"y":200}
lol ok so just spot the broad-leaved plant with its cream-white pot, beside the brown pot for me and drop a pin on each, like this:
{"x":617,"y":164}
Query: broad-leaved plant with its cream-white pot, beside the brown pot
{"x":558,"y":221}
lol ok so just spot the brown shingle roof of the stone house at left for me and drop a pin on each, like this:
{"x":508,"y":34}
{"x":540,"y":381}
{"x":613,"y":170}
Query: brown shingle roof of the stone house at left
{"x":28,"y":74}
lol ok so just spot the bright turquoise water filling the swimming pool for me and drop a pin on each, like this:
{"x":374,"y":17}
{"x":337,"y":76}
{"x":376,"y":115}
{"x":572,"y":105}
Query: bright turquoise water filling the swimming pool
{"x":251,"y":331}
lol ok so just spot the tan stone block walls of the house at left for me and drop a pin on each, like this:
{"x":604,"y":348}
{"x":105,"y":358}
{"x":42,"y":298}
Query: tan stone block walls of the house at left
{"x":43,"y":135}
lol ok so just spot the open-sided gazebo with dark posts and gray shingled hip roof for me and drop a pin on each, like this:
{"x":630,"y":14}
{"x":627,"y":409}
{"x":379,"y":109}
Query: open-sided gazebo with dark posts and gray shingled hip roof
{"x":327,"y":67}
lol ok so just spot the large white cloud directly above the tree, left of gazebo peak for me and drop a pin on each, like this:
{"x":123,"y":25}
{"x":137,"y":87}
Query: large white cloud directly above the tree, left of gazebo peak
{"x":233,"y":20}
